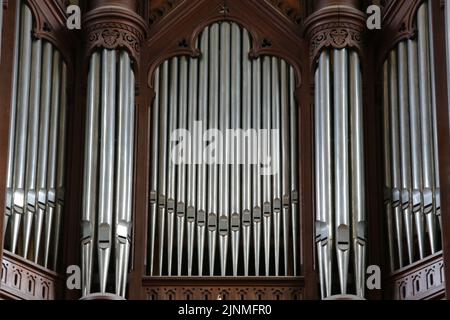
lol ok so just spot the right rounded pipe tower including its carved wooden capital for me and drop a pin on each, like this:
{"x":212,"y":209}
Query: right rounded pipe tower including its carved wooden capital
{"x":335,"y":30}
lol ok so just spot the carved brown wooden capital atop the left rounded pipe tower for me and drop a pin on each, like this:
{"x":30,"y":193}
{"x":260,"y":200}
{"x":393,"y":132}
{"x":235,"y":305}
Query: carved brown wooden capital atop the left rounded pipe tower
{"x":114,"y":29}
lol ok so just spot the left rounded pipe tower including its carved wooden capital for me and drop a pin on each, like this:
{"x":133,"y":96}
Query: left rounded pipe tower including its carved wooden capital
{"x":114,"y":34}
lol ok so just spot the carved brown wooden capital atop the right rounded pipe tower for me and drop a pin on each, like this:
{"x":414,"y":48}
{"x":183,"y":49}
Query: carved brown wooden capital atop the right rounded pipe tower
{"x":335,"y":27}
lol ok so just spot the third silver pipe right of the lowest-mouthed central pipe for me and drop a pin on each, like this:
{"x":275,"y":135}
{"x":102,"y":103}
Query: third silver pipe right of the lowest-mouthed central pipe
{"x":256,"y":176}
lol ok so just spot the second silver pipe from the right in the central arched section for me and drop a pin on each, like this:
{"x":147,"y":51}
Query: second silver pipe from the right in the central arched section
{"x":285,"y":161}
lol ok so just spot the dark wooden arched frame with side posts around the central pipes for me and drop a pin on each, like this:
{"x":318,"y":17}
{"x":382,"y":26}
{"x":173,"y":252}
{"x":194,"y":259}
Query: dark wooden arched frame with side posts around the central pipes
{"x":274,"y":35}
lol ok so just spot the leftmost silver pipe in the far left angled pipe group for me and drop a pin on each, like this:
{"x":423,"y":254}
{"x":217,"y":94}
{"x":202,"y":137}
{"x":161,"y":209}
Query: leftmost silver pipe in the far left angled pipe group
{"x":12,"y":127}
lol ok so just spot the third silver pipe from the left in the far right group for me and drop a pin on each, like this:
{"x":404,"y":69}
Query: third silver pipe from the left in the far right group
{"x":405,"y":147}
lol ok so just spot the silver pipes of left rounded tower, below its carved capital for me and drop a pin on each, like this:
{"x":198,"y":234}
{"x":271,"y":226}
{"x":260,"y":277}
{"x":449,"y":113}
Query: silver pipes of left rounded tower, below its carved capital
{"x":108,"y":172}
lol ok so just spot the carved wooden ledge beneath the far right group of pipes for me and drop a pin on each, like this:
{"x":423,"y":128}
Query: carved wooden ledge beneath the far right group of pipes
{"x":423,"y":280}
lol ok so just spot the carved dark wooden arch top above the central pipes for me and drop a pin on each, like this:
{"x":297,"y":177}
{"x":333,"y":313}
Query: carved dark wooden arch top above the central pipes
{"x":196,"y":16}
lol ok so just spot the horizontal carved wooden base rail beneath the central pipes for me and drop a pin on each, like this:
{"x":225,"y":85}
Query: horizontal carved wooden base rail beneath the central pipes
{"x":222,"y":289}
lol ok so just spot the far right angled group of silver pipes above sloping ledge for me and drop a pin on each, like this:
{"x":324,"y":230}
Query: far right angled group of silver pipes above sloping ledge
{"x":412,"y":187}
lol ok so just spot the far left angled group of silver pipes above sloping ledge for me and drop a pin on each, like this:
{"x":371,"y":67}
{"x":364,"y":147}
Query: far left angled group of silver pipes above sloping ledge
{"x":37,"y":142}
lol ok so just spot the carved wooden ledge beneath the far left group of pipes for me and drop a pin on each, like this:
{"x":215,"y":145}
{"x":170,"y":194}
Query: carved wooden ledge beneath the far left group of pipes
{"x":21,"y":279}
